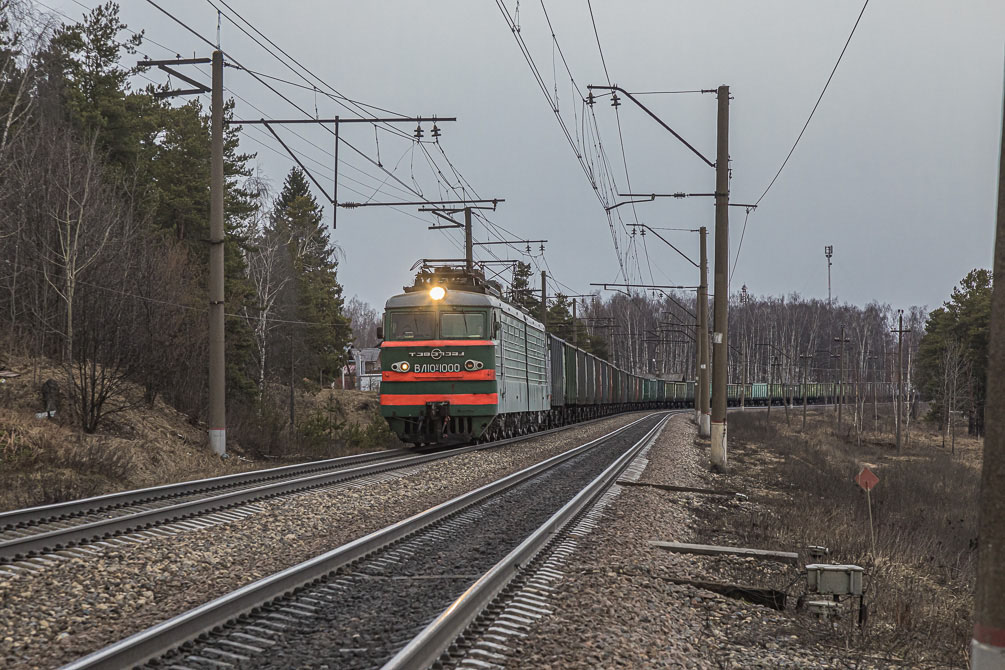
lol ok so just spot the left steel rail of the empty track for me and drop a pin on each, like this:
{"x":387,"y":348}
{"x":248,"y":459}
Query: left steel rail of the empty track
{"x":168,"y":635}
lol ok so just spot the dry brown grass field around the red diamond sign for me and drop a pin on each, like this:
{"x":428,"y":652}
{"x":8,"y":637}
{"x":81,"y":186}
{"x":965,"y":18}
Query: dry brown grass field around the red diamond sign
{"x":921,"y":579}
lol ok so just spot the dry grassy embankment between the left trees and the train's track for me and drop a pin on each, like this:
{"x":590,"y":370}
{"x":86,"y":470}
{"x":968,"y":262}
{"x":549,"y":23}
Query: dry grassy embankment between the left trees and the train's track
{"x":45,"y":462}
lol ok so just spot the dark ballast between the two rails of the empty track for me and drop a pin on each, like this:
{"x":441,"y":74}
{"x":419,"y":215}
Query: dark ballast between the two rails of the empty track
{"x":388,"y":598}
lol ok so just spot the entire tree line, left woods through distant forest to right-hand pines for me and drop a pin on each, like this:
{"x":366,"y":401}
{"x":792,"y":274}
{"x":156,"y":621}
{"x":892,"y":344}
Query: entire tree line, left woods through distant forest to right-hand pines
{"x":104,"y":222}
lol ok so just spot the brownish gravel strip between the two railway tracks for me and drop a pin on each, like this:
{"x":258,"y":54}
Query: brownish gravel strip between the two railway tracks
{"x":82,"y":605}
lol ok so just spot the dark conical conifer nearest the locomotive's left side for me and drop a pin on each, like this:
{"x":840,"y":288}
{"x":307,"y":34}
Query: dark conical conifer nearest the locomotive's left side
{"x":314,"y":261}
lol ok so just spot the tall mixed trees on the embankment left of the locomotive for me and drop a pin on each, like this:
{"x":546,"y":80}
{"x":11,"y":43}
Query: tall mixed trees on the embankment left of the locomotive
{"x":104,"y":222}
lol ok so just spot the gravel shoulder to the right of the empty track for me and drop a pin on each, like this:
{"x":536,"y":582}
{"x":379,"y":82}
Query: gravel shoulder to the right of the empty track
{"x":616,"y":609}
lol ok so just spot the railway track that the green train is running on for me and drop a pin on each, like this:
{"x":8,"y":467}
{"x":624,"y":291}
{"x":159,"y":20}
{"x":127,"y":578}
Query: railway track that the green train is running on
{"x":32,"y":538}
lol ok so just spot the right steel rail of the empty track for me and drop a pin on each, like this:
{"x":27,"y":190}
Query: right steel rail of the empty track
{"x":430,"y":645}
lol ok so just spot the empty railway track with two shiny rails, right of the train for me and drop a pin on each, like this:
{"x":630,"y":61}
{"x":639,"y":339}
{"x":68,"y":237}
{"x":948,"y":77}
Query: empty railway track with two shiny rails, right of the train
{"x":373,"y":599}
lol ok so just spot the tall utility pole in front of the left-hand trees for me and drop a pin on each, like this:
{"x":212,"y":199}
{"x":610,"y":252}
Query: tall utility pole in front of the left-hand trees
{"x":218,"y":368}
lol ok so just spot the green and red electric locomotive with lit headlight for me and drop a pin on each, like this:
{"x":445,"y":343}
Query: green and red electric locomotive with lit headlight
{"x":444,"y":380}
